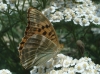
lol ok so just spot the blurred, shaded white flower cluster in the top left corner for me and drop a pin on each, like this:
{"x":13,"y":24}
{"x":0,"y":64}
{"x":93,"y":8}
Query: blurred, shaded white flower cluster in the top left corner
{"x":20,"y":3}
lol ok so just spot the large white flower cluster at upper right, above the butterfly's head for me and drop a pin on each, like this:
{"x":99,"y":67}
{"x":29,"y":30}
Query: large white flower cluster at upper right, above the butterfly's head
{"x":82,"y":12}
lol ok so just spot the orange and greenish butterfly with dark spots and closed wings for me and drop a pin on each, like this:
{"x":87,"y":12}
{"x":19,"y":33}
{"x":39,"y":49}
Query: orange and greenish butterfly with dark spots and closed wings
{"x":40,"y":42}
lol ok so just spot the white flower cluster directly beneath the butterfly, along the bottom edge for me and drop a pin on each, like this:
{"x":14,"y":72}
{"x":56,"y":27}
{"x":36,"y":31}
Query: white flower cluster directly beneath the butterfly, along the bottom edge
{"x":67,"y":65}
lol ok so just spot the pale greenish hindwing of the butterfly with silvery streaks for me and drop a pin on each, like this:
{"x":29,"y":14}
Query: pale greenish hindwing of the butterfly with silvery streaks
{"x":37,"y":50}
